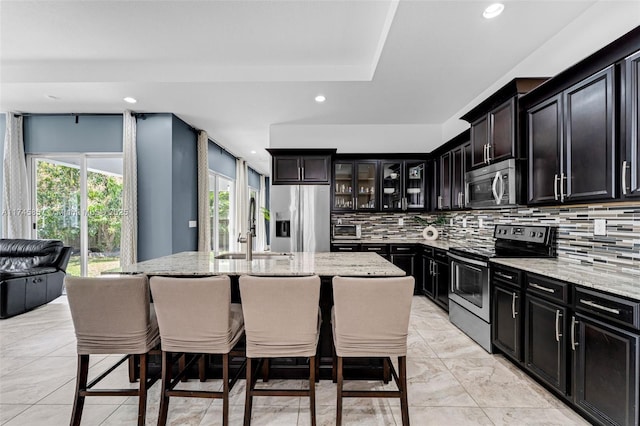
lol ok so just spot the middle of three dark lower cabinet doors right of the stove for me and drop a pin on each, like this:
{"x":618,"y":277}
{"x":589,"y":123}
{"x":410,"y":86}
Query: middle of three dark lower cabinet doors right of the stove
{"x":545,"y":337}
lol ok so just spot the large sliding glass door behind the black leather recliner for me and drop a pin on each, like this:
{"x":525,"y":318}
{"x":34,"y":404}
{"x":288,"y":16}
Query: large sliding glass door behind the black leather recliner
{"x":77,"y":198}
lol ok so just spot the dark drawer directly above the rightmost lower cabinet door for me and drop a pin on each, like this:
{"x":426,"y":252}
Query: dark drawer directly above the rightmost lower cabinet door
{"x":608,"y":306}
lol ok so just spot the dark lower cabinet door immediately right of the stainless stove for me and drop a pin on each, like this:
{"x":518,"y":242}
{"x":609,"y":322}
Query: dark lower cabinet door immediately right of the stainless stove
{"x":507,"y":321}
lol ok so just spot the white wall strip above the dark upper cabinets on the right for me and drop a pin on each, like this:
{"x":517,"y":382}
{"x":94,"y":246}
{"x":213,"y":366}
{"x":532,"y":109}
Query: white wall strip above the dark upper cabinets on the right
{"x":598,"y":26}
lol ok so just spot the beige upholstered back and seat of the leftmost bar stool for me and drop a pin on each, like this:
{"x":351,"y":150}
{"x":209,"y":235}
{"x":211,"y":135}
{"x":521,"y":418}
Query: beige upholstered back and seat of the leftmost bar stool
{"x":112,"y":314}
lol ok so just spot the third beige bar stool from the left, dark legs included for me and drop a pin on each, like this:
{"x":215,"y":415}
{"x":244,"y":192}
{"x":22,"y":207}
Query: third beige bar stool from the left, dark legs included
{"x":282,"y":319}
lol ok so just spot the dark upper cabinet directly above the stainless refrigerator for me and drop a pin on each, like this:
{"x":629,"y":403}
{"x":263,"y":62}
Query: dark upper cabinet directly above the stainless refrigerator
{"x":290,"y":167}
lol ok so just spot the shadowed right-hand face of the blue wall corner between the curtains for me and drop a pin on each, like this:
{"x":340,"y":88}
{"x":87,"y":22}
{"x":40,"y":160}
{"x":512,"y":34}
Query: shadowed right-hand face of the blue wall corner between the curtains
{"x":184,"y":204}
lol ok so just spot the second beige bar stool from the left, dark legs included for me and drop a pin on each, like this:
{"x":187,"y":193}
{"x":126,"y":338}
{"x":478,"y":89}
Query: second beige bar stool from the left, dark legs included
{"x":195,"y":316}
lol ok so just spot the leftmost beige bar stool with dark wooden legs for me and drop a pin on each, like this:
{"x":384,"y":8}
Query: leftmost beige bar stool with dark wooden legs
{"x":112,"y":316}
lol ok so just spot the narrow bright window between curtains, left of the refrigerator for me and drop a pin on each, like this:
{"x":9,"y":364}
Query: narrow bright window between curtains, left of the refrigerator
{"x":221,"y":196}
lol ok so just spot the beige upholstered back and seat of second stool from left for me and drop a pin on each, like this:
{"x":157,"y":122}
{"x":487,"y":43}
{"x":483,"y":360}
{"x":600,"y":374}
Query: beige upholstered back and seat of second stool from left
{"x":196,"y":315}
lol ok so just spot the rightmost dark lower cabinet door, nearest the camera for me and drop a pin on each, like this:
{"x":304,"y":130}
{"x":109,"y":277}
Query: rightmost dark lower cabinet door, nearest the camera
{"x":605,"y":371}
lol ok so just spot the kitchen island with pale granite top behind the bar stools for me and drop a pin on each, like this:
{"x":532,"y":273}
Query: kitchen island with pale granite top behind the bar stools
{"x":325,"y":265}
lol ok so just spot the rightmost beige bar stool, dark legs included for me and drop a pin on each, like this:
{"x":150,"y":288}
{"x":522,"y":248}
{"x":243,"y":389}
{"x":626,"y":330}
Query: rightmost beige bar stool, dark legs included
{"x":370,"y":318}
